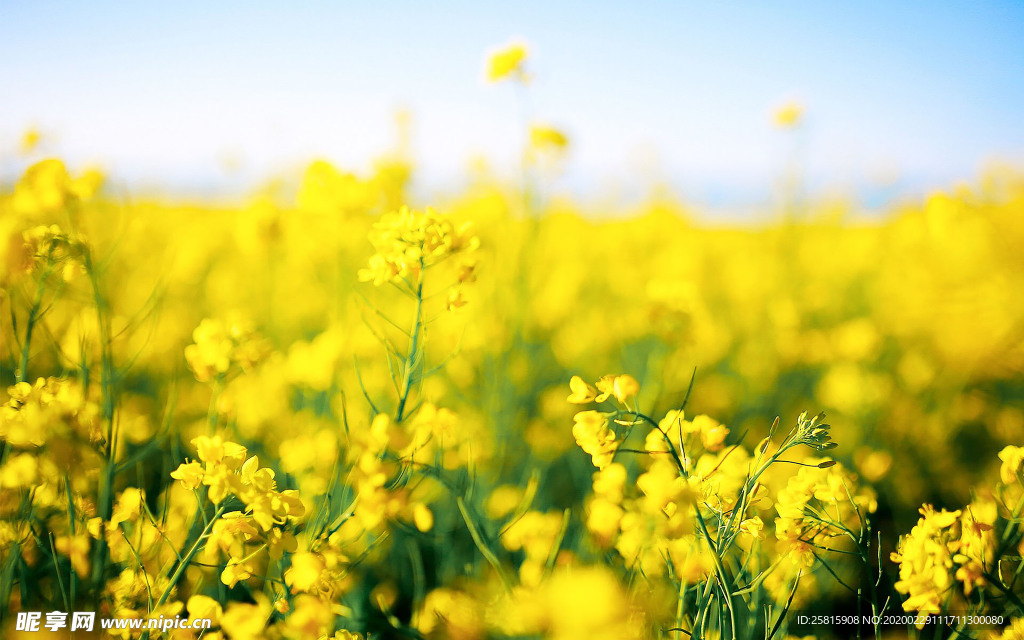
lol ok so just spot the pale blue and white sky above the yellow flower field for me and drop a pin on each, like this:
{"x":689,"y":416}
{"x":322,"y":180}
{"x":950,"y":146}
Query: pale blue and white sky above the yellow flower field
{"x":910,"y":95}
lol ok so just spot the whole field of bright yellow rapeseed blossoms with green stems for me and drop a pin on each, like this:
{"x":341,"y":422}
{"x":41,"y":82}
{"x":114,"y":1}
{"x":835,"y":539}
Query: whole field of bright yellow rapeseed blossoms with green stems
{"x":347,"y":415}
